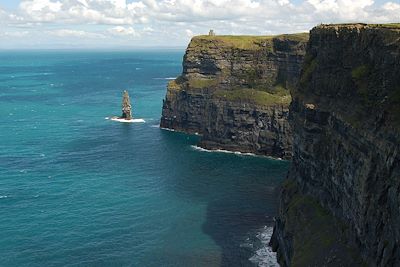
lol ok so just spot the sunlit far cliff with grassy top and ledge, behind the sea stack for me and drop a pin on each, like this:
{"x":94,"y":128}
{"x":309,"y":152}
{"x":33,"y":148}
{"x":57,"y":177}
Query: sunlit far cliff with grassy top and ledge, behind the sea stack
{"x":234,"y":91}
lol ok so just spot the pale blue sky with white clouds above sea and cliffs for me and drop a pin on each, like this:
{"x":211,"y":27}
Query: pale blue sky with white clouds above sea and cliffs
{"x":31,"y":24}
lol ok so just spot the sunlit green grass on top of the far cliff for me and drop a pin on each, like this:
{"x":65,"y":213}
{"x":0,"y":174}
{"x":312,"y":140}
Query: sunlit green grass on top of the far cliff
{"x":246,"y":41}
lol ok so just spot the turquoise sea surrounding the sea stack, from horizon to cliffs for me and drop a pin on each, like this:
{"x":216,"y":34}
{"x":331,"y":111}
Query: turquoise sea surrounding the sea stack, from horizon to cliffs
{"x":79,"y":190}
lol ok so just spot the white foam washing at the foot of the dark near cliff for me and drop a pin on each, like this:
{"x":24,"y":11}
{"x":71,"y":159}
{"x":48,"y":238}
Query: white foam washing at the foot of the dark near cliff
{"x":264,"y":256}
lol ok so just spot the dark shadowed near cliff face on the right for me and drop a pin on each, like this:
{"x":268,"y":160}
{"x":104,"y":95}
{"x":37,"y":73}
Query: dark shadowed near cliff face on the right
{"x":345,"y":175}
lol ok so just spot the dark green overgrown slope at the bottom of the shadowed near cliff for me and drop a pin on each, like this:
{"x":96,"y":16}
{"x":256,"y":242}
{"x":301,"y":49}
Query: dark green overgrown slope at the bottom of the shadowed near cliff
{"x":317,"y":235}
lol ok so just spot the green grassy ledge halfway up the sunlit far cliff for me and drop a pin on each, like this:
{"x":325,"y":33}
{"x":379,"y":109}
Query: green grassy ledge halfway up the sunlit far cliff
{"x":252,"y":96}
